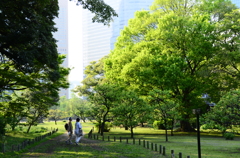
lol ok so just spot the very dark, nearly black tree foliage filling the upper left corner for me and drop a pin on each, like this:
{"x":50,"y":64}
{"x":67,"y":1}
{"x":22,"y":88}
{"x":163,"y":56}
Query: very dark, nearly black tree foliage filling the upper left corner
{"x":26,"y":39}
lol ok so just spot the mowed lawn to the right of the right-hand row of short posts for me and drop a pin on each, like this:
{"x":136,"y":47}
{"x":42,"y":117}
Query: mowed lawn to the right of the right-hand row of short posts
{"x":213,"y":145}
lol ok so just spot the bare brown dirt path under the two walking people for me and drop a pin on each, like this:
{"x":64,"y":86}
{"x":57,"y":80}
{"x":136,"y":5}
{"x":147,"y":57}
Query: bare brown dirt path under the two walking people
{"x":47,"y":148}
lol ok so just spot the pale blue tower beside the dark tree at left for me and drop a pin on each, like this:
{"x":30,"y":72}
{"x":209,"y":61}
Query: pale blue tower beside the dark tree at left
{"x":62,"y":36}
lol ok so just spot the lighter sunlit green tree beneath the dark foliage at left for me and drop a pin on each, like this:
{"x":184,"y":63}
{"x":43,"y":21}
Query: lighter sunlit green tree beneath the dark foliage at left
{"x":41,"y":96}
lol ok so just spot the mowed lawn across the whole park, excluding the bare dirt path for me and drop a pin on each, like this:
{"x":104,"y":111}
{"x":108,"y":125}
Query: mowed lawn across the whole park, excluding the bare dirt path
{"x":213,"y":145}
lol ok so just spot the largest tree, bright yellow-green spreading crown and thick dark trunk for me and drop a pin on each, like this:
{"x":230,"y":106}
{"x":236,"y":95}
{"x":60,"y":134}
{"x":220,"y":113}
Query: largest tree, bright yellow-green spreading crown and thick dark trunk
{"x":179,"y":47}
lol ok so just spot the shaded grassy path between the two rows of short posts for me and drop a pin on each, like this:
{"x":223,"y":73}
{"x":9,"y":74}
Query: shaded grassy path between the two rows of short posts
{"x":56,"y":147}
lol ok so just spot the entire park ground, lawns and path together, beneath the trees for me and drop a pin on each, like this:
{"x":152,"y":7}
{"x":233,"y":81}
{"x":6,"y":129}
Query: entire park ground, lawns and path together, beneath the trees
{"x":213,"y":145}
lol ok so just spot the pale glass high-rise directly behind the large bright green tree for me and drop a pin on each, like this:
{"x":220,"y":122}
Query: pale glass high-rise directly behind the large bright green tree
{"x":98,"y":40}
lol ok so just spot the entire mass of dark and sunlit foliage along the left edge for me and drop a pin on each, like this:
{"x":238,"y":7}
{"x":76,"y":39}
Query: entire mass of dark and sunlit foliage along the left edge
{"x":30,"y":66}
